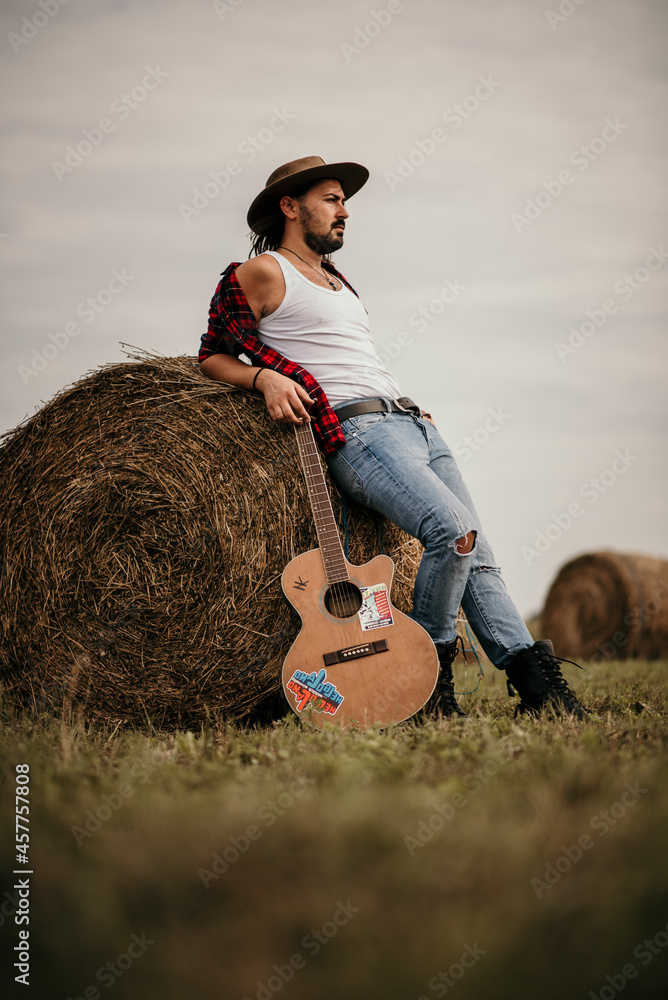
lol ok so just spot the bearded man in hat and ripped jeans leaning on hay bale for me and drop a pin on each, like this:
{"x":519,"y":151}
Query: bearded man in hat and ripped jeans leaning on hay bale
{"x":306,"y":333}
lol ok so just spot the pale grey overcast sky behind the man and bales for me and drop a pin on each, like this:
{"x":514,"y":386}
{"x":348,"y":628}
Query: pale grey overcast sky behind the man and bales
{"x":510,"y":245}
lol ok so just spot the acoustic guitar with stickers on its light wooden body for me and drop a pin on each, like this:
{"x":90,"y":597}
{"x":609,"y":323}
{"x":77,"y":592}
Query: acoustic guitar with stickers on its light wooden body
{"x":357,"y":660}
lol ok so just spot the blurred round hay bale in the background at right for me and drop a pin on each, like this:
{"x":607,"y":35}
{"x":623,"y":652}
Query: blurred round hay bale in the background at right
{"x":607,"y":605}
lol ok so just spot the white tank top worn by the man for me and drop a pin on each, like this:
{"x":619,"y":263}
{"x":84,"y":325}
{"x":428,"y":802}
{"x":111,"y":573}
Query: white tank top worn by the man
{"x":327,"y":332}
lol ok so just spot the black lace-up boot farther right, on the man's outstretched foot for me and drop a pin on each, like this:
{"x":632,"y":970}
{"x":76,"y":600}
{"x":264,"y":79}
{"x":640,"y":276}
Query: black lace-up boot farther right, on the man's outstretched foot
{"x":535,"y":674}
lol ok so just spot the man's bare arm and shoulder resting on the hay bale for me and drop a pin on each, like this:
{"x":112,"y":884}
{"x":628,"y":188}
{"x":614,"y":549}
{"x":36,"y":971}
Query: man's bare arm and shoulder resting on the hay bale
{"x":261,"y":281}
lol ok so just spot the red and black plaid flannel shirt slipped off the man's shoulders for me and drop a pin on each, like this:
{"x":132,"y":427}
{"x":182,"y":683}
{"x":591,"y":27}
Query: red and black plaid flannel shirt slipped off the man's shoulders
{"x":233,"y":330}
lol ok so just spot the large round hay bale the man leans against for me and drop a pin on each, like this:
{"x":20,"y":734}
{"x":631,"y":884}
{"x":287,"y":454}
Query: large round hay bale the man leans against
{"x":147,"y":515}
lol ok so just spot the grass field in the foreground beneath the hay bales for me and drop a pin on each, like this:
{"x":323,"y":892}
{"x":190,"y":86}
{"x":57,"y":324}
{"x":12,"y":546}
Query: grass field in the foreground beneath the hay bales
{"x":480,"y":858}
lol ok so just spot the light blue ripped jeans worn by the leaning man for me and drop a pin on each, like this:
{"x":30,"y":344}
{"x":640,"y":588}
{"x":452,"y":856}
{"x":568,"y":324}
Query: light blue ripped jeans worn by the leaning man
{"x":398,"y":464}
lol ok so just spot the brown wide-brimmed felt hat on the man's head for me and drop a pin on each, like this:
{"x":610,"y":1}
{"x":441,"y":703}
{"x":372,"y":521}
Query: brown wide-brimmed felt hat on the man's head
{"x":264,"y":210}
